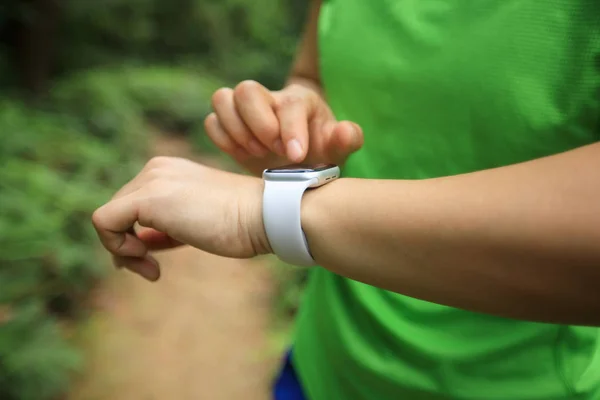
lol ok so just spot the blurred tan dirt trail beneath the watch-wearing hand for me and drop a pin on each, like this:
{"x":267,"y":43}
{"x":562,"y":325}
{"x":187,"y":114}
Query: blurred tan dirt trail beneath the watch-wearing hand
{"x":201,"y":332}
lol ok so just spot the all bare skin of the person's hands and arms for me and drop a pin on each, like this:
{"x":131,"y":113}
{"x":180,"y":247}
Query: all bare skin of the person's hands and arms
{"x":521,"y":241}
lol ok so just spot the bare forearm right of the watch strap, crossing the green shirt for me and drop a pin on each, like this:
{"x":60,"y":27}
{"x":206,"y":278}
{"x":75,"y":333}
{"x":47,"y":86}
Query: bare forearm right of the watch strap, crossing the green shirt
{"x":521,"y":241}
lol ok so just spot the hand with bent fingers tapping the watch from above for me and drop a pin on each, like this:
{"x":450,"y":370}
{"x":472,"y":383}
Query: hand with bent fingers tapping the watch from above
{"x":262,"y":129}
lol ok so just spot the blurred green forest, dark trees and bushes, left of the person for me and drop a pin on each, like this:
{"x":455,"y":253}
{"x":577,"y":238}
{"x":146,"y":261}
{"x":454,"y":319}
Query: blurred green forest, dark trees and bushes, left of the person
{"x":81,"y":85}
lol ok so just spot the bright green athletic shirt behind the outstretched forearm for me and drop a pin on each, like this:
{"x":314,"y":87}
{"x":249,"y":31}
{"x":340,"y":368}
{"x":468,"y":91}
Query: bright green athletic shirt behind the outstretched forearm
{"x":444,"y":87}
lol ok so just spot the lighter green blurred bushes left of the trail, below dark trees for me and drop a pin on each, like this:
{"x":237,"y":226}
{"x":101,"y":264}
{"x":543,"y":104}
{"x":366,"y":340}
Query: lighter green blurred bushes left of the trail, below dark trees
{"x":59,"y":163}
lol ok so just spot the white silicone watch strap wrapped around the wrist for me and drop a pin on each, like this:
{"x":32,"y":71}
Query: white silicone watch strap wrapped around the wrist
{"x":283,"y":225}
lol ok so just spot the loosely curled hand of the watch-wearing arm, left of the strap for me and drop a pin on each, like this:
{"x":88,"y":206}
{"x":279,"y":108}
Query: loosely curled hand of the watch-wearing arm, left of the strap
{"x":182,"y":202}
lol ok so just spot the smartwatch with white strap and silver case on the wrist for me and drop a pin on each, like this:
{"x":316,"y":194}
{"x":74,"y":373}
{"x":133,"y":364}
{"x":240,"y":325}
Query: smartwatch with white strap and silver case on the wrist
{"x":282,"y":197}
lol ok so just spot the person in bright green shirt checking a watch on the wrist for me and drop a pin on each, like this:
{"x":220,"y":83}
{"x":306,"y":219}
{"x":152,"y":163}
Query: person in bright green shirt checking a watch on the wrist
{"x":461,"y":254}
